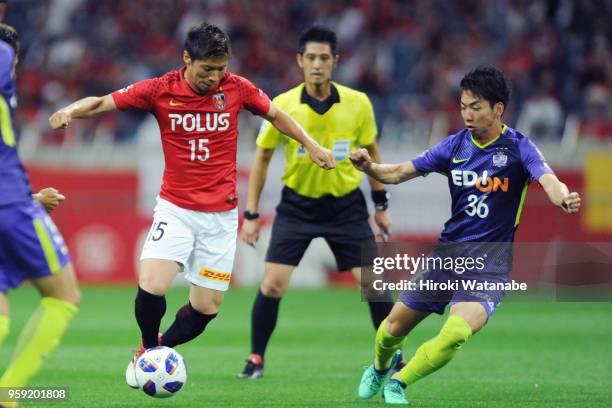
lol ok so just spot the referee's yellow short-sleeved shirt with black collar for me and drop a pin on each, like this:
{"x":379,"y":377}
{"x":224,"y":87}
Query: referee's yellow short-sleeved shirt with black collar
{"x":341,"y":123}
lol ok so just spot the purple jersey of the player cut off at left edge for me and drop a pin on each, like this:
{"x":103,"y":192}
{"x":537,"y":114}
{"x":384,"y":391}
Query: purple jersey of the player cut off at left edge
{"x":14,"y":182}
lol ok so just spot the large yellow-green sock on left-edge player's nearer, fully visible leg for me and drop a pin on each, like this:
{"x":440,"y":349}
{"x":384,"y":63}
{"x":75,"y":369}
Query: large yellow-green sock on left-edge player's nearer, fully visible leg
{"x":38,"y":340}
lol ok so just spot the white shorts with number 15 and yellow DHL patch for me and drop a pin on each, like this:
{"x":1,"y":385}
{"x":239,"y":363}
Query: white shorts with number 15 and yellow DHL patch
{"x":203,"y":242}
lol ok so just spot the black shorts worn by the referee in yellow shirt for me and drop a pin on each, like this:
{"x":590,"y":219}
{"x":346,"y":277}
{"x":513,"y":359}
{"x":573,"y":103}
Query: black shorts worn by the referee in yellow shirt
{"x":342,"y":221}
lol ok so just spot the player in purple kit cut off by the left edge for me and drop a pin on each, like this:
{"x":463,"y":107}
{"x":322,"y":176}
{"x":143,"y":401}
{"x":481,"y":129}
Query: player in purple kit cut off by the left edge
{"x":31,"y":247}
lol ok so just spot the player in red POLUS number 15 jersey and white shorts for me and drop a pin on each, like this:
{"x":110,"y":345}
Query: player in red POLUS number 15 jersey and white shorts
{"x":195,"y":220}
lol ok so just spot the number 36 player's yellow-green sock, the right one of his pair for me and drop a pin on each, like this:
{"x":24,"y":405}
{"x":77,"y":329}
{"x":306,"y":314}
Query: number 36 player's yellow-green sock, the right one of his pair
{"x":436,"y":352}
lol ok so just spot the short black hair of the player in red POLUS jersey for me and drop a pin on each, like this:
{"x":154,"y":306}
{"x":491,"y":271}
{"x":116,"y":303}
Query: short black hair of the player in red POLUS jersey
{"x":207,"y":41}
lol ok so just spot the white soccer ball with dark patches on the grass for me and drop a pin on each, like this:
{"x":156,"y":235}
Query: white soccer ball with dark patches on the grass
{"x":161,"y":372}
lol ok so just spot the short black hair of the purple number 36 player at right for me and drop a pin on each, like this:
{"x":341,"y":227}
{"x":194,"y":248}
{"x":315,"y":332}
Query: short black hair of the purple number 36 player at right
{"x":489,"y":83}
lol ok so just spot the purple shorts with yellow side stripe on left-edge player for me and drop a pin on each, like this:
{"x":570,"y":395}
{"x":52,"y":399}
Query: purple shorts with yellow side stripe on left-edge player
{"x":30,"y":244}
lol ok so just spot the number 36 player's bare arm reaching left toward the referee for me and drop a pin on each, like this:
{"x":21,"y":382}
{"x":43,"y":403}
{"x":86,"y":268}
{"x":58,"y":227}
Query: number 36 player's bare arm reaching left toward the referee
{"x":385,"y":173}
